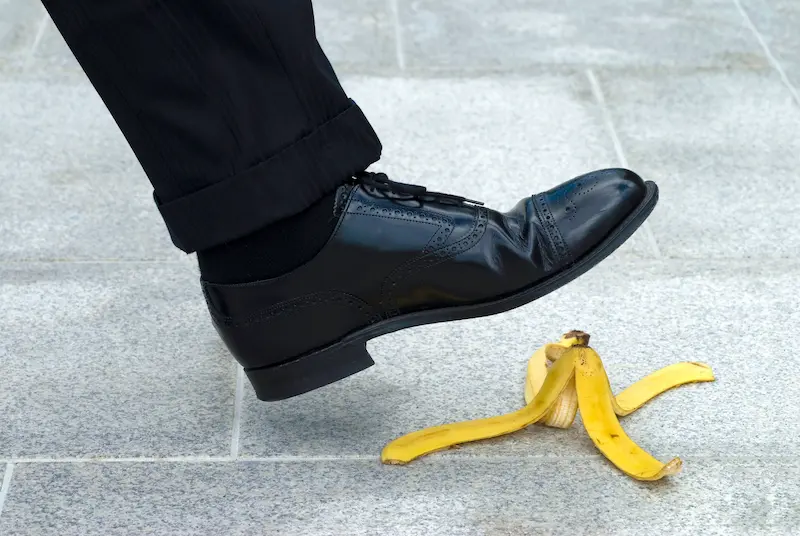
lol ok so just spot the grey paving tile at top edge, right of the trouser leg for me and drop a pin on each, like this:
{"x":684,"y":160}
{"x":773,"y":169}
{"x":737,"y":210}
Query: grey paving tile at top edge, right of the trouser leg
{"x":510,"y":35}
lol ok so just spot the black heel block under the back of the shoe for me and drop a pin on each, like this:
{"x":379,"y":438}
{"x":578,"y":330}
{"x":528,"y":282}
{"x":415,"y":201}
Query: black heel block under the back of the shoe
{"x":309,"y":372}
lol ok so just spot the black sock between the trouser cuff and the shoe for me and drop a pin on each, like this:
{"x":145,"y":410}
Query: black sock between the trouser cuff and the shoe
{"x":274,"y":250}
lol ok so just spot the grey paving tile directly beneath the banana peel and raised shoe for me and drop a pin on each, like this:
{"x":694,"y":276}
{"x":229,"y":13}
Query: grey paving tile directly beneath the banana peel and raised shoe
{"x":643,"y":315}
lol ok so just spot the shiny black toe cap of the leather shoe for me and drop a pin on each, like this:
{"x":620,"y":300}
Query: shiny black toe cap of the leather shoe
{"x":586,"y":209}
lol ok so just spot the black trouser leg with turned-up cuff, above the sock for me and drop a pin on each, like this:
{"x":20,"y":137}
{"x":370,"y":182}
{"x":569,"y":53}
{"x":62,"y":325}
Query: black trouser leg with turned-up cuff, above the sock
{"x":231,"y":107}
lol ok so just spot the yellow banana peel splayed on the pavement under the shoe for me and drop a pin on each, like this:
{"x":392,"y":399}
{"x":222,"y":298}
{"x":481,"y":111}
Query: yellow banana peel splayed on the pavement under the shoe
{"x":563,"y":378}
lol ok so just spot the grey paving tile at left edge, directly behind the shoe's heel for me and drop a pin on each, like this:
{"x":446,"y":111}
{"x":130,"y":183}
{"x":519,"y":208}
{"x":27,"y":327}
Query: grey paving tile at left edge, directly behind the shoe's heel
{"x":110,"y":359}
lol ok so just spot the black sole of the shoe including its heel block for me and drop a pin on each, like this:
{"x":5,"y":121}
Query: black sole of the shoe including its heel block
{"x":349,"y":355}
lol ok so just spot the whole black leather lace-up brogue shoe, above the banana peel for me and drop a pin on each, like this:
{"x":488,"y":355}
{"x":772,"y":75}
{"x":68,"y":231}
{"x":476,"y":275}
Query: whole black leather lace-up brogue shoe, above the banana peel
{"x":402,"y":256}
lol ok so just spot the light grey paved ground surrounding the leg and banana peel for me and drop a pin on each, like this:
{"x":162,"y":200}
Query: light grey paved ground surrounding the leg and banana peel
{"x":121,"y":412}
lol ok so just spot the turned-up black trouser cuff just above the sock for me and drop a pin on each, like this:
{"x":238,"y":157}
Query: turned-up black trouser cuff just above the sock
{"x":284,"y":185}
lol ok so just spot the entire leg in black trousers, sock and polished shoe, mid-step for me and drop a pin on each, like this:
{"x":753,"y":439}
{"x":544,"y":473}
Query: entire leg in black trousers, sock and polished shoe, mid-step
{"x":243,"y":129}
